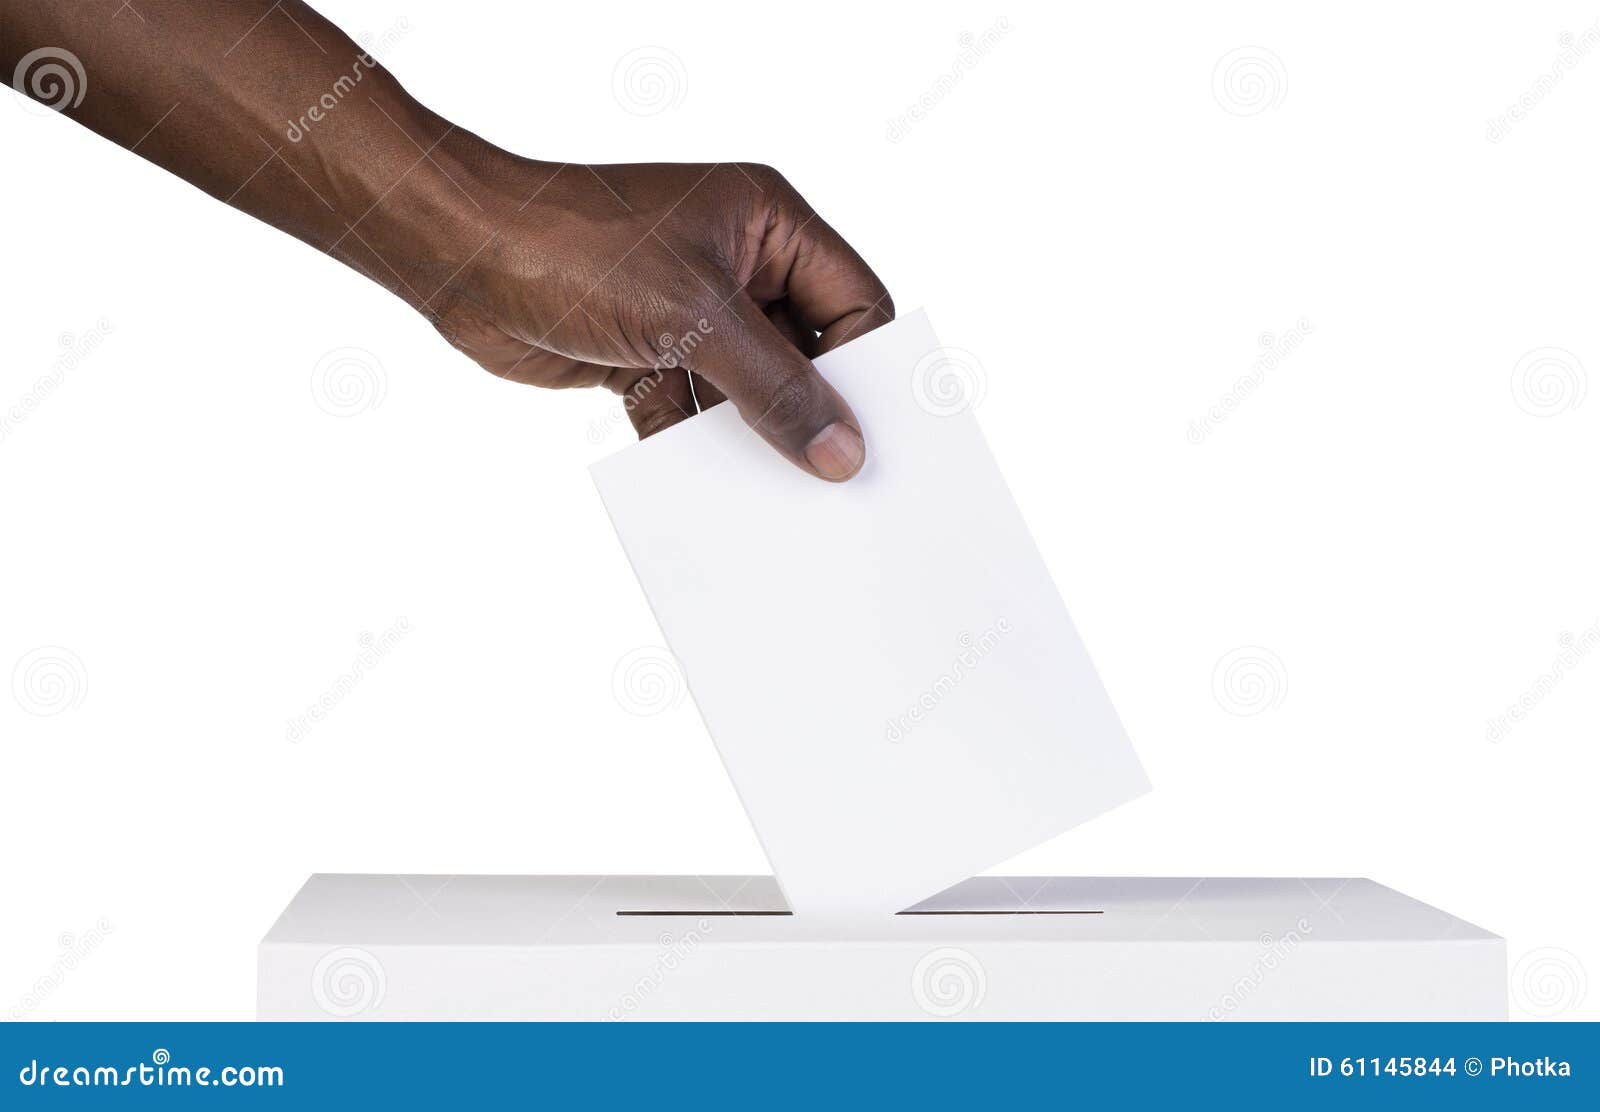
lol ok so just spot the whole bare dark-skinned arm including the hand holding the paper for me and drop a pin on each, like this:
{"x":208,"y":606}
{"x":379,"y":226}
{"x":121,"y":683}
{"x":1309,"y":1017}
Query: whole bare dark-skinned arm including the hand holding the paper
{"x":553,"y":274}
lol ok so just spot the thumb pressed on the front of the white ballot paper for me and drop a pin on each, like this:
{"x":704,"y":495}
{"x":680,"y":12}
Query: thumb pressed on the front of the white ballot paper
{"x":780,"y":394}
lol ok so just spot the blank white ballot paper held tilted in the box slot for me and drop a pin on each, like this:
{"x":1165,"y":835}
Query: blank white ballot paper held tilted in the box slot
{"x":886,"y":665}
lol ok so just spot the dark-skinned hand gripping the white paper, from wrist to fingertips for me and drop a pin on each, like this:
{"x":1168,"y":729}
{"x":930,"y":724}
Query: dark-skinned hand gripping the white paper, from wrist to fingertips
{"x":671,"y":286}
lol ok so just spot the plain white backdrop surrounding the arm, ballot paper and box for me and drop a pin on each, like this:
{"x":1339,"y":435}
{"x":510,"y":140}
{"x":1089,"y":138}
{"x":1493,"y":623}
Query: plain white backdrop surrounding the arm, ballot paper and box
{"x":1383,"y":518}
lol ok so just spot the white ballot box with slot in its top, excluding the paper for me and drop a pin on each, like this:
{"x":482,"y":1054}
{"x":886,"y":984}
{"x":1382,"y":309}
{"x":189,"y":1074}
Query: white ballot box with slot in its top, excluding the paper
{"x":993,"y":948}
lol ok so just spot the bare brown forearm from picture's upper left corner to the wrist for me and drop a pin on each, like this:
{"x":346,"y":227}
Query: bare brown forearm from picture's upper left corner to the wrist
{"x":273,"y":110}
